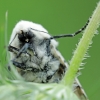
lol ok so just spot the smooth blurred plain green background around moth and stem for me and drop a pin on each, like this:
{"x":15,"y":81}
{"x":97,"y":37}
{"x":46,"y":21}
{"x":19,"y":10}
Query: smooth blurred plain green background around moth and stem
{"x":58,"y":17}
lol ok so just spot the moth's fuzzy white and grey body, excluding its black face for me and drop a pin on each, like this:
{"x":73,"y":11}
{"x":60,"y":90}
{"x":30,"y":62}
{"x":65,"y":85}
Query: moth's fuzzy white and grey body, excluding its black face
{"x":45,"y":63}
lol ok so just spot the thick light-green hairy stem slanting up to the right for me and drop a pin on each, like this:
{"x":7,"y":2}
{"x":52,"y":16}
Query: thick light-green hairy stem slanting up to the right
{"x":83,"y":46}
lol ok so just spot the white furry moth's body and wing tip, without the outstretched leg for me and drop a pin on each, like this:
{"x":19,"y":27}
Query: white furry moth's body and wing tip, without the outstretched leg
{"x":33,"y":51}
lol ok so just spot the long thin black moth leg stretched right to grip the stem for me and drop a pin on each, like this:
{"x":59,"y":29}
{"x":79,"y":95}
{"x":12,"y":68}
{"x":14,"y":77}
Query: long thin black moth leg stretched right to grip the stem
{"x":74,"y":34}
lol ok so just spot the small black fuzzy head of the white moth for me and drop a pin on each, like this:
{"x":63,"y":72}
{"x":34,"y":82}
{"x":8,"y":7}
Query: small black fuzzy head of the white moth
{"x":25,"y":36}
